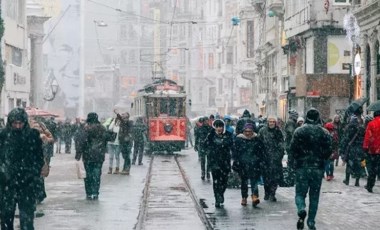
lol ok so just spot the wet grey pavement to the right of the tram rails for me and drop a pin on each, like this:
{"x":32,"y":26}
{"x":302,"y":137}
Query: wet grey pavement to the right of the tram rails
{"x":341,"y":207}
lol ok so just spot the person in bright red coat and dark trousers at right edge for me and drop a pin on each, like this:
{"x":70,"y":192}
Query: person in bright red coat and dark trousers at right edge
{"x":371,"y":146}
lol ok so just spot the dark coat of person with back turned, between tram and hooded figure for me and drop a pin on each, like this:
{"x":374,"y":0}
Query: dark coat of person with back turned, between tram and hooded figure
{"x":92,"y":143}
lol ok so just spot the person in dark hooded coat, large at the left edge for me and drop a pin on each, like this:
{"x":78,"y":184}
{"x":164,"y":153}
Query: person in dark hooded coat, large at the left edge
{"x":21,"y":162}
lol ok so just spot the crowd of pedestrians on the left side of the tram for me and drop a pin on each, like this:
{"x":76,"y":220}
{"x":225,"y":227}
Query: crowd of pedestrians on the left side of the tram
{"x":27,"y":145}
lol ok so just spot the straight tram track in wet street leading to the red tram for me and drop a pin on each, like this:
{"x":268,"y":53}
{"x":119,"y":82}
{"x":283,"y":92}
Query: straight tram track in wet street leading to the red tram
{"x":168,"y":198}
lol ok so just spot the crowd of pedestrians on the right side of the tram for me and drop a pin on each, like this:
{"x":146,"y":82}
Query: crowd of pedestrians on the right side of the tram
{"x":254,"y":148}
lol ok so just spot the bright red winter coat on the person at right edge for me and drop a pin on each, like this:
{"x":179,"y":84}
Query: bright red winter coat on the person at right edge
{"x":372,"y":137}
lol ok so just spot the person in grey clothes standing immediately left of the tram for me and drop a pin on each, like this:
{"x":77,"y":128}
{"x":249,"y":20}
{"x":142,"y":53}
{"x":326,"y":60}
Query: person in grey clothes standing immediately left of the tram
{"x":139,"y":132}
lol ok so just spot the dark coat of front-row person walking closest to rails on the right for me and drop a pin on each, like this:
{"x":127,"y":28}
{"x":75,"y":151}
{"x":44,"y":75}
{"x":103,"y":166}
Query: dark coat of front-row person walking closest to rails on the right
{"x":219,"y":148}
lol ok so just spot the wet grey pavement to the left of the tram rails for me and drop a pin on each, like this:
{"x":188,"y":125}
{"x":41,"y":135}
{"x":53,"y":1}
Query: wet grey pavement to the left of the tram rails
{"x":66,"y":206}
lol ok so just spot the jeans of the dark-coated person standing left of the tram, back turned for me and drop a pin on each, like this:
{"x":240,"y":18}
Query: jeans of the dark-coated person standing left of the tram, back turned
{"x":92,"y":180}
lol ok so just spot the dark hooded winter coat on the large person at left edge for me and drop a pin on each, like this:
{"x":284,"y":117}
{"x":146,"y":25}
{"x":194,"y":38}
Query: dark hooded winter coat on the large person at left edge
{"x":21,"y":156}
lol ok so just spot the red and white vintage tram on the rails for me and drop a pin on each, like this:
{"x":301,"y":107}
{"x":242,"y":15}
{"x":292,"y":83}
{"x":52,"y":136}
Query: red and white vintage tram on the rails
{"x":162,"y":105}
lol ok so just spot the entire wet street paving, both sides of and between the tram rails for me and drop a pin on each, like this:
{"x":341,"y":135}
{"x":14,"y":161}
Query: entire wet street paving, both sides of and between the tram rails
{"x":341,"y":206}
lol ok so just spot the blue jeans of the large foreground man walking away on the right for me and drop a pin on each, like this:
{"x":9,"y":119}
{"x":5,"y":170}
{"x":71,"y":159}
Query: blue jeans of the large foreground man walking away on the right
{"x":308,"y":180}
